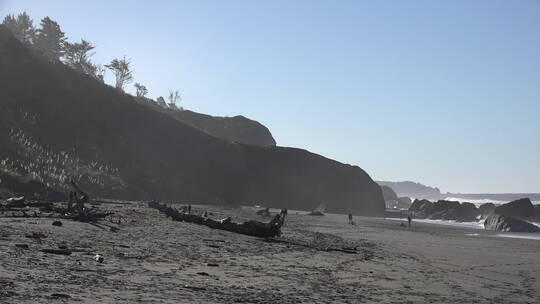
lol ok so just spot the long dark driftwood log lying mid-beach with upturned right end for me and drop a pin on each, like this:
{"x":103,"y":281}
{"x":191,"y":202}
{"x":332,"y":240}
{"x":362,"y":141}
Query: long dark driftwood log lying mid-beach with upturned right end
{"x":253,"y":228}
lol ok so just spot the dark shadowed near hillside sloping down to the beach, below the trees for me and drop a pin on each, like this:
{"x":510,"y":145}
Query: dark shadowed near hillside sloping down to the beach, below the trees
{"x":56,"y":123}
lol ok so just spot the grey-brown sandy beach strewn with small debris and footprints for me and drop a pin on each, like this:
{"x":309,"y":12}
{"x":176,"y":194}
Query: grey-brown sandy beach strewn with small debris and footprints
{"x":151,"y":259}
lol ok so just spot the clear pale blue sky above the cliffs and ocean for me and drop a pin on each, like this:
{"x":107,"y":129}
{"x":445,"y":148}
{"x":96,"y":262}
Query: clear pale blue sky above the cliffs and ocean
{"x":446,"y":93}
